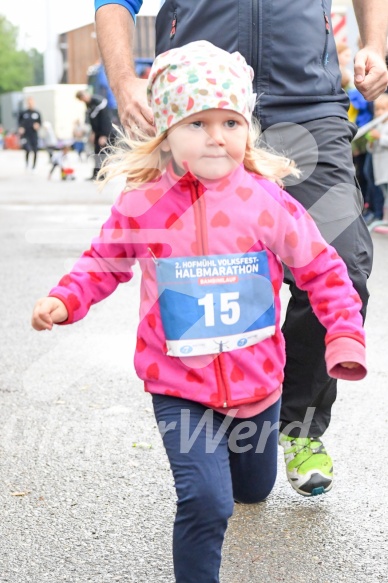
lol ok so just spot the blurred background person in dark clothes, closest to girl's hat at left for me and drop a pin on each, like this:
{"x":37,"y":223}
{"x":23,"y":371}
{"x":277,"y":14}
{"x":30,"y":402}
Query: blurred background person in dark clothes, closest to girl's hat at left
{"x":97,"y":113}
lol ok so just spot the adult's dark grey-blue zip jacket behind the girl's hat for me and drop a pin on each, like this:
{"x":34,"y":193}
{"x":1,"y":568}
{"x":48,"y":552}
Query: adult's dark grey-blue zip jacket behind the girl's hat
{"x":289,"y":44}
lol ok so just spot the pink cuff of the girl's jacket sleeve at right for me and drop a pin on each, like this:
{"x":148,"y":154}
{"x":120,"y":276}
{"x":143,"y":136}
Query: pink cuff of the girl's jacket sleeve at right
{"x":345,"y":350}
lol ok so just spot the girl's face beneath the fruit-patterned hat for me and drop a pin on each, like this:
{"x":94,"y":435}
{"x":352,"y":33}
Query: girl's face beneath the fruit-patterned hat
{"x":210,"y":144}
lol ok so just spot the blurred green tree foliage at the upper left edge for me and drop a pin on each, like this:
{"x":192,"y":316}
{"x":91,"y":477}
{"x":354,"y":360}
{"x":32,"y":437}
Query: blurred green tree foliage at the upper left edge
{"x":18,"y":68}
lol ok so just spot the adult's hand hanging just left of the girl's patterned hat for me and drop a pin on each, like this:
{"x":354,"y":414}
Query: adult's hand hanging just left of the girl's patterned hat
{"x":133,"y":108}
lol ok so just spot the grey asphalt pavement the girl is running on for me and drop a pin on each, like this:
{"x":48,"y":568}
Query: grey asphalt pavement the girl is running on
{"x":86,"y":493}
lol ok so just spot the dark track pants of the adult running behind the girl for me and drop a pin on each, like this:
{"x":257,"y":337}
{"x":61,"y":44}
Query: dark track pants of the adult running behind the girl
{"x":329,"y":191}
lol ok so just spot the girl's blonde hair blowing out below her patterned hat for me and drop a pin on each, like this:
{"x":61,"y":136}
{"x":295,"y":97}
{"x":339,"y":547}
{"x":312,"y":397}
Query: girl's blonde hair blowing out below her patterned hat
{"x":141,"y":160}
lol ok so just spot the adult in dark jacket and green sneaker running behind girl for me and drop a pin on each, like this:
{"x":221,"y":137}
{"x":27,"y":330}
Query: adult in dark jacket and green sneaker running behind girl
{"x":298,"y":81}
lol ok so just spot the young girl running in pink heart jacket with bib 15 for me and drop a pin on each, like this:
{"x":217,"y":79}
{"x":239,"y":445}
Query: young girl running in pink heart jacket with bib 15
{"x":204,"y":214}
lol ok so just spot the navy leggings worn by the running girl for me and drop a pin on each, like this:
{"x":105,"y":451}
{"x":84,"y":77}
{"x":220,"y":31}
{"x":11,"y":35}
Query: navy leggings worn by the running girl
{"x":215,"y":460}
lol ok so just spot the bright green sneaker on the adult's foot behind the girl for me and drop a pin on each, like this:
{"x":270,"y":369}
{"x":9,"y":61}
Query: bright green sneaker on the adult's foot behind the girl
{"x":309,"y":468}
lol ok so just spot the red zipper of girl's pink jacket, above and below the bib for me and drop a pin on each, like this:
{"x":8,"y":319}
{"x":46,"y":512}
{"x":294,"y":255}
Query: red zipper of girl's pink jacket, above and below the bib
{"x":203,"y":249}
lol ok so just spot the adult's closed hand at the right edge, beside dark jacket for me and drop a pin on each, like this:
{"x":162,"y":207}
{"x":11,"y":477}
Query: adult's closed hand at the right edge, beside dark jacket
{"x":370,"y":73}
